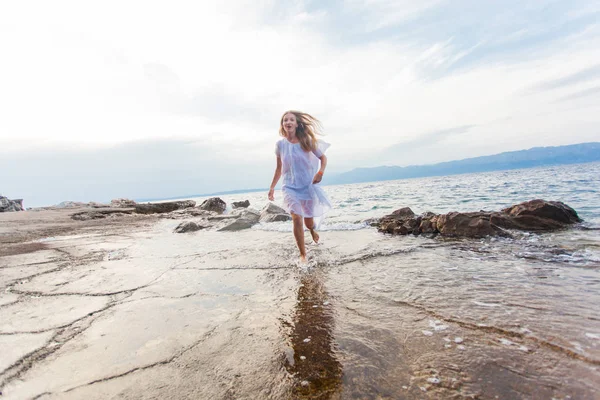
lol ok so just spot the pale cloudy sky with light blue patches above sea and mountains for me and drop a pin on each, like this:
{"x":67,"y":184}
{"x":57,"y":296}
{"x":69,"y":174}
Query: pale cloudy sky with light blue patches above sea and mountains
{"x":146,"y":99}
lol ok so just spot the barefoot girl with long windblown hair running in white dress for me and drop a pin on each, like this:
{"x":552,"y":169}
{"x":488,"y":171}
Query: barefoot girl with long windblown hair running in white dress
{"x":298,"y":155}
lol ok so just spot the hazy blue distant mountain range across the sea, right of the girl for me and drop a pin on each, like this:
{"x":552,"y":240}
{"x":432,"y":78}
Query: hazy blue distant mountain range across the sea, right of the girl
{"x":535,"y":157}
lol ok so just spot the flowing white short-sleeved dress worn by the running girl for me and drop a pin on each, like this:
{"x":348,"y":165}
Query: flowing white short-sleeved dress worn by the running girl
{"x":300,"y":195}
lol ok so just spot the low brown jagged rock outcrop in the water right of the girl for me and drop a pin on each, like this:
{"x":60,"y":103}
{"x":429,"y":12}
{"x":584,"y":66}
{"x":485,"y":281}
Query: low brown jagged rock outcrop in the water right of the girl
{"x":533,"y":216}
